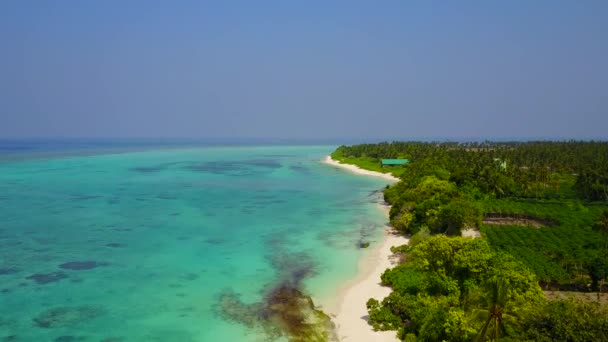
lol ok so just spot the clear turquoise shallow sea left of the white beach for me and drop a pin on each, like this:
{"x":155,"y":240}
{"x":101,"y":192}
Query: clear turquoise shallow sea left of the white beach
{"x":141,"y":246}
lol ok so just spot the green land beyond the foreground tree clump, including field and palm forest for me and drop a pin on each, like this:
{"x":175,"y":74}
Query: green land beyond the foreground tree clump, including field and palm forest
{"x":560,"y":185}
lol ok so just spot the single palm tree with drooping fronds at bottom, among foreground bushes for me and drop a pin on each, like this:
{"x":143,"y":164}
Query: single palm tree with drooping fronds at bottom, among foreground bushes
{"x":494,"y":311}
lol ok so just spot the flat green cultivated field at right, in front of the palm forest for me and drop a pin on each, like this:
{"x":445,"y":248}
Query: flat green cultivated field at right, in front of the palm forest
{"x":556,"y":253}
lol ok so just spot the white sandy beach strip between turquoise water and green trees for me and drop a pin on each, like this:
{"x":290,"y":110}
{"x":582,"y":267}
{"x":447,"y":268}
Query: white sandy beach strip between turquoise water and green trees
{"x":349,"y":312}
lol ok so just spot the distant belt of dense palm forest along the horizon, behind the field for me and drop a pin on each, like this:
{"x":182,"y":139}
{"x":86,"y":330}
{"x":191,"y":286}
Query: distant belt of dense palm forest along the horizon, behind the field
{"x":537,"y":170}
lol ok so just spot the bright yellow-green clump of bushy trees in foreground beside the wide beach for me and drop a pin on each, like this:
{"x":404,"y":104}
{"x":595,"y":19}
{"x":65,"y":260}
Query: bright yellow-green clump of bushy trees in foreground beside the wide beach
{"x":455,"y":289}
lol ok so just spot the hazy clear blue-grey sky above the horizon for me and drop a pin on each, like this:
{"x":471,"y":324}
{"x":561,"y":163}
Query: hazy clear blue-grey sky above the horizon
{"x":364,"y":70}
